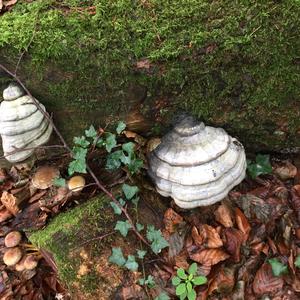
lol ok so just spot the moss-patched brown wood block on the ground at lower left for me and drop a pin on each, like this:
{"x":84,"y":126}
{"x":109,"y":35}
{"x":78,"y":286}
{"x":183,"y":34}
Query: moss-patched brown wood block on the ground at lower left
{"x":80,"y":255}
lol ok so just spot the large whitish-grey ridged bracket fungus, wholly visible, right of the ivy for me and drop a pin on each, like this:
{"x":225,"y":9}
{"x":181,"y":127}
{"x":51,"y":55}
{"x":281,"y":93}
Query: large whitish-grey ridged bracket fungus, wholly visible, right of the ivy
{"x":197,"y":165}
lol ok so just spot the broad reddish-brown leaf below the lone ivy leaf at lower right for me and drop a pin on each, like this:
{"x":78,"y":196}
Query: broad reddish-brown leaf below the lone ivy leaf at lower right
{"x":265,"y":281}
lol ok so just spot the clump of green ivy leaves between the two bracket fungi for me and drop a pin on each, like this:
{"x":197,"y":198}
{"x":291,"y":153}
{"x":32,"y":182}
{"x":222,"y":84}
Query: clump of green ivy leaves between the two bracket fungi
{"x":123,"y":155}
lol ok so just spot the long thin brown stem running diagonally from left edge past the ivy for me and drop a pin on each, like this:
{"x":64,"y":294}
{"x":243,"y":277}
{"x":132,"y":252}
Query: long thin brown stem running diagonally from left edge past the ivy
{"x":65,"y":145}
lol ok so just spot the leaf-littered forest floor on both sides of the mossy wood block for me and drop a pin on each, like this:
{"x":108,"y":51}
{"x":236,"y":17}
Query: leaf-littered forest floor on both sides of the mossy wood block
{"x":247,"y":246}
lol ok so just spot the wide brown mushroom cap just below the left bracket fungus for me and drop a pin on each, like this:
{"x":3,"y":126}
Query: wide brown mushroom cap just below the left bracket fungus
{"x":43,"y":177}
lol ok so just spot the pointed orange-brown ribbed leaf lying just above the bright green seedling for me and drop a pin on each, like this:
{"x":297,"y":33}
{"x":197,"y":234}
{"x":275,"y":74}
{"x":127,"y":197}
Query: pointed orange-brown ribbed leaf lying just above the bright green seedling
{"x":209,"y":257}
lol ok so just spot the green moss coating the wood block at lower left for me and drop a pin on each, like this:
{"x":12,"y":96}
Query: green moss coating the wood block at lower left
{"x":61,"y":238}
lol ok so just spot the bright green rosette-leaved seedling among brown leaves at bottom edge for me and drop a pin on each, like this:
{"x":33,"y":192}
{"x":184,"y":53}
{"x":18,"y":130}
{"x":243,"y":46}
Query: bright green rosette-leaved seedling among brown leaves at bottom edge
{"x":186,"y":282}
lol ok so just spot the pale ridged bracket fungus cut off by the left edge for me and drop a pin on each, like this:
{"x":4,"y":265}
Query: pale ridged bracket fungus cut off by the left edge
{"x":22,"y":124}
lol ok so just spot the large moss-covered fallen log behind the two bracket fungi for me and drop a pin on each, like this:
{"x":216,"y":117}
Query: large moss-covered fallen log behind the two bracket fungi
{"x":231,"y":63}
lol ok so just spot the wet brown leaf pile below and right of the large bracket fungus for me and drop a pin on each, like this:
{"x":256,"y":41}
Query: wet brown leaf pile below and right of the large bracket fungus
{"x":232,"y":246}
